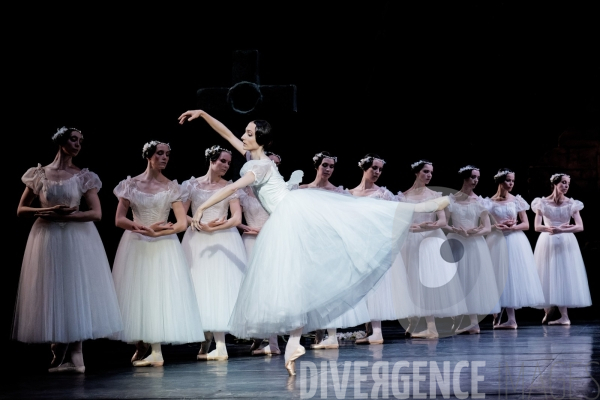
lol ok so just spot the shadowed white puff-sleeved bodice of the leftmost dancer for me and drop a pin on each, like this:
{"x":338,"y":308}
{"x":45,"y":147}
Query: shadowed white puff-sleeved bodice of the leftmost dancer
{"x":67,"y":192}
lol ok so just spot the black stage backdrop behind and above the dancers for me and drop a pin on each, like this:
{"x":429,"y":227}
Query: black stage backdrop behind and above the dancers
{"x":495,"y":84}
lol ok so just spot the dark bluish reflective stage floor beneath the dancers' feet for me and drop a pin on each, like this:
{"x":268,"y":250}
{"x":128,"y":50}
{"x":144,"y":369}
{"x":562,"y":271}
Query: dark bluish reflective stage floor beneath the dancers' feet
{"x":533,"y":361}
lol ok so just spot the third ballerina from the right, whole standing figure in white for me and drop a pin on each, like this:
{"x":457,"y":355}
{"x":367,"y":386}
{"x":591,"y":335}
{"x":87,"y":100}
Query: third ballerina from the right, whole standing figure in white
{"x":468,"y":223}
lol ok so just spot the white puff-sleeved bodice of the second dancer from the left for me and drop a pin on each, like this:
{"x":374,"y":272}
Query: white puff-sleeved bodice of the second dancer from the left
{"x":148,"y":208}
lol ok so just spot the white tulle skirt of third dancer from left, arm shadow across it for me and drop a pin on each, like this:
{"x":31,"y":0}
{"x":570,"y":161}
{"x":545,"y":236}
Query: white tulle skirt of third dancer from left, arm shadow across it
{"x":218,"y":263}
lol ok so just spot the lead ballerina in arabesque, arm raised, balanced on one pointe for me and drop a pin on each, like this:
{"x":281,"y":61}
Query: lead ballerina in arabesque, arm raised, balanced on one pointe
{"x":307,"y":232}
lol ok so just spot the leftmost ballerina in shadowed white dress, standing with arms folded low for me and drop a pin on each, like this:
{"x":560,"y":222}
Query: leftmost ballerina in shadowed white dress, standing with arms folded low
{"x":66,"y":294}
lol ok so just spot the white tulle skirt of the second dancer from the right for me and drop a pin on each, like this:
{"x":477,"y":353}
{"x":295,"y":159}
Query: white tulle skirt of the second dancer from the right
{"x":521,"y":286}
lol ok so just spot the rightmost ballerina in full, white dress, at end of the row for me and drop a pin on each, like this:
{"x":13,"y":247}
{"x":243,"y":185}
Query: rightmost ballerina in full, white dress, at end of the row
{"x":557,"y":255}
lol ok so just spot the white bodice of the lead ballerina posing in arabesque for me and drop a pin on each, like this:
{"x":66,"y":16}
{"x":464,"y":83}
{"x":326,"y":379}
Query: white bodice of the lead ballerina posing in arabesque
{"x":269,"y":186}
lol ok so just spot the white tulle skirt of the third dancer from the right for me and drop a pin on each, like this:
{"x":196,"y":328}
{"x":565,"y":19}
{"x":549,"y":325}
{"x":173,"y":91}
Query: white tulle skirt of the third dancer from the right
{"x":477,"y":277}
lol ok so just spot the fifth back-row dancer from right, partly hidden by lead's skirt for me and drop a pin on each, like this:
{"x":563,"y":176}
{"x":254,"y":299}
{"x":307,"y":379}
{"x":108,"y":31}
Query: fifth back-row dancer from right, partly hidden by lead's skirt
{"x":380,"y":301}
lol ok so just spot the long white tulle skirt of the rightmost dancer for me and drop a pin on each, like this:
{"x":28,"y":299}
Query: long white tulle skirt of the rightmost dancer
{"x":561,"y":271}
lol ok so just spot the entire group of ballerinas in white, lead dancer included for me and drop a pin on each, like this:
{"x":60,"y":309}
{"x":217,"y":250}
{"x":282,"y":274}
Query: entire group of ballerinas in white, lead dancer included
{"x":311,"y":257}
